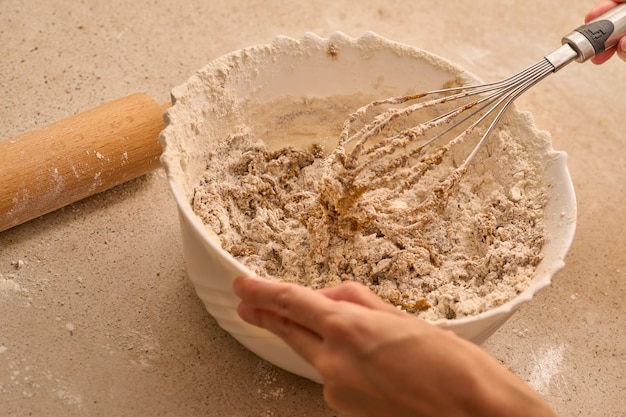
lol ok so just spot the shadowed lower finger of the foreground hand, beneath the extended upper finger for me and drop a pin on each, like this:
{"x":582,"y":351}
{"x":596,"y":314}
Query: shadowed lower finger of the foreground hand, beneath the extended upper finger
{"x":304,"y":342}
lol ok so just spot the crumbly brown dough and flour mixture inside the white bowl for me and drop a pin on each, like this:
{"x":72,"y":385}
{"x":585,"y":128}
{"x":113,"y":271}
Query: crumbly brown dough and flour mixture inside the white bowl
{"x":302,"y":214}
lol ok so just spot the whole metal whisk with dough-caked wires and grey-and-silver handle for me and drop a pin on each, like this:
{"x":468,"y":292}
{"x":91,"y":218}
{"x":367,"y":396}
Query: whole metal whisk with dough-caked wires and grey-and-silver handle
{"x":381,"y":153}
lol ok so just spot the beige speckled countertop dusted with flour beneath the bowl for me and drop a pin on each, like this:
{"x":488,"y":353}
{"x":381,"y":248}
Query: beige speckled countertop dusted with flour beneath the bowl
{"x":97,"y":316}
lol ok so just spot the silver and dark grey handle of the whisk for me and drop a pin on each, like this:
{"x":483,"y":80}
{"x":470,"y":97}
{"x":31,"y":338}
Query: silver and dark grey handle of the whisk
{"x":598,"y":35}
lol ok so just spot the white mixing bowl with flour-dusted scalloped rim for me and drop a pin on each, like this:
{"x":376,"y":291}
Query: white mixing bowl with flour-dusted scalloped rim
{"x":210,"y":105}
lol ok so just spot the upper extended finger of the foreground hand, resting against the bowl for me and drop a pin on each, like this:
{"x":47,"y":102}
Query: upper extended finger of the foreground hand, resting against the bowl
{"x":298,"y":304}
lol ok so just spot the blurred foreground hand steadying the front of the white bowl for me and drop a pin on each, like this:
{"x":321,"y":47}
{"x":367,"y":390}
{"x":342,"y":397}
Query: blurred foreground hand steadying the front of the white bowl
{"x":376,"y":360}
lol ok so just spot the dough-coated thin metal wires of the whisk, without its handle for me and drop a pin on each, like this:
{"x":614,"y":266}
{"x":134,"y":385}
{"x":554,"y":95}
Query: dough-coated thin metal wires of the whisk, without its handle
{"x":401,"y":157}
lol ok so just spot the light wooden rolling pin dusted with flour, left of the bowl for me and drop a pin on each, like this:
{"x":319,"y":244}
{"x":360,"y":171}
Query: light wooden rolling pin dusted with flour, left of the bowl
{"x":77,"y":157}
